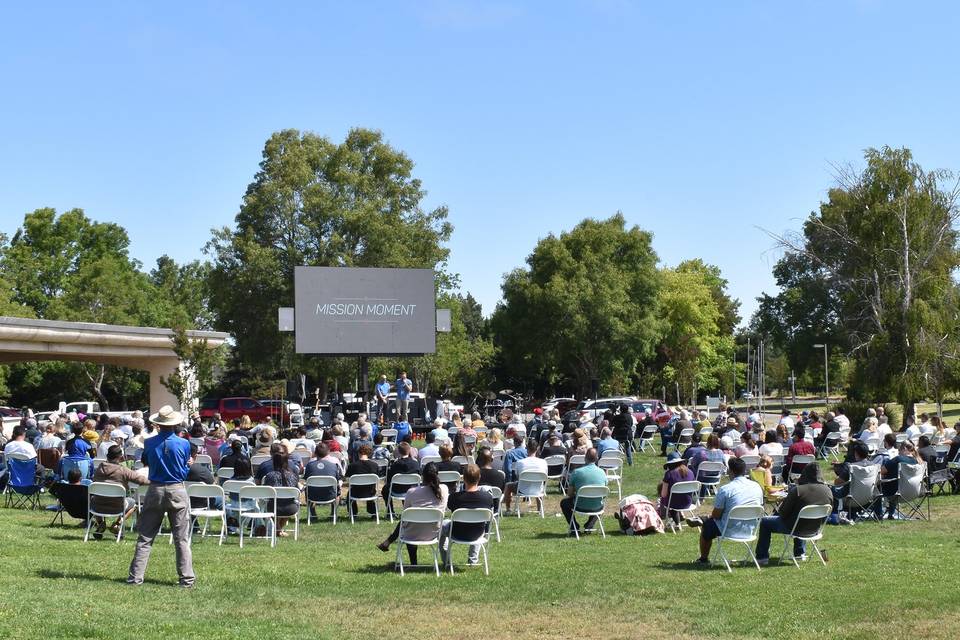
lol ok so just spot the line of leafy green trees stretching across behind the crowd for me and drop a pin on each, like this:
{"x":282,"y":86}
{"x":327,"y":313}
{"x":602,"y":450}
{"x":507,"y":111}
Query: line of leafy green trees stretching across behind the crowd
{"x":592,"y":307}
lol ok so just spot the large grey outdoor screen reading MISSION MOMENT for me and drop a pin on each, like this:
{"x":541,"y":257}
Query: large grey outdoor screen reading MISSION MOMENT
{"x":348,"y":311}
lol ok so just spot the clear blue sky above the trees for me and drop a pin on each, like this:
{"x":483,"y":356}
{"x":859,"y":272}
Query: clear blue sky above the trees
{"x":701,"y":121}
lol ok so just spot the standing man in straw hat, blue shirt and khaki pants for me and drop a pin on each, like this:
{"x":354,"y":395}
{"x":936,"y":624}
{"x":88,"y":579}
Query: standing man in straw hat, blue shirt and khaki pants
{"x":167,"y":457}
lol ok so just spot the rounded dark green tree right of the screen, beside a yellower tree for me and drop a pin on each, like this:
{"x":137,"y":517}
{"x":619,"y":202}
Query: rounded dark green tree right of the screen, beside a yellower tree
{"x":583,"y":308}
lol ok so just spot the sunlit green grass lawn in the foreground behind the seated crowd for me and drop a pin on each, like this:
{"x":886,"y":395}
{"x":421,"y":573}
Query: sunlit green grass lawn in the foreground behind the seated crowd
{"x":898,"y":577}
